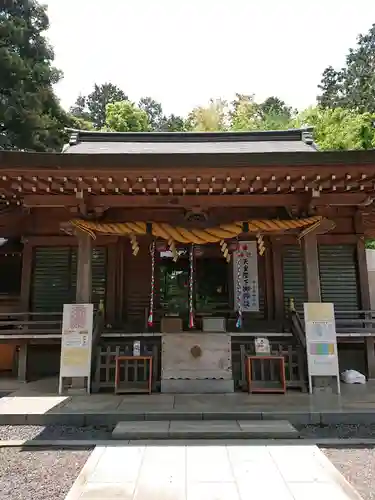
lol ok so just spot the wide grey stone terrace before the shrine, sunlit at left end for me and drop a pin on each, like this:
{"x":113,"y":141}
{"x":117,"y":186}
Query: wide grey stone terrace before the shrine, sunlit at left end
{"x":37,"y":403}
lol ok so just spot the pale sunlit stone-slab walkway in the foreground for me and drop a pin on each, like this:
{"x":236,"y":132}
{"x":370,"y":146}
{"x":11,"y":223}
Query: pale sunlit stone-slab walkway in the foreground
{"x":209,"y":472}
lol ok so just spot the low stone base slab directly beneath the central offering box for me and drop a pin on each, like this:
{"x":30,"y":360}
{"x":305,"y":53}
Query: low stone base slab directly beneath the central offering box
{"x":197,"y":386}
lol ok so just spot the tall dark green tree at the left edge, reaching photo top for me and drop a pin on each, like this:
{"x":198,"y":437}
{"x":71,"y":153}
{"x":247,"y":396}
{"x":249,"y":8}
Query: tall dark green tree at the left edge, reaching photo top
{"x":31,"y":117}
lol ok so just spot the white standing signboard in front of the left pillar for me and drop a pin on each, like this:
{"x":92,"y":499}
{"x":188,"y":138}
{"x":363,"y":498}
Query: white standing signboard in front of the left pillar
{"x":76,"y":342}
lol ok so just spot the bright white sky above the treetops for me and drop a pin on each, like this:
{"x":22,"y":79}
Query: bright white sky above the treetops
{"x":184,"y":52}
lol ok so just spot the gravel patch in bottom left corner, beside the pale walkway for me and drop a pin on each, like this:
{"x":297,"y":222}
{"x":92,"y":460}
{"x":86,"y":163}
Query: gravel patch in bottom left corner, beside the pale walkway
{"x":39,"y":475}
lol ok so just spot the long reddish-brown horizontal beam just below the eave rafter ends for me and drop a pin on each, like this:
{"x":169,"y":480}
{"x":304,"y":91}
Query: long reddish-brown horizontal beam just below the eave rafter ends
{"x":188,"y":201}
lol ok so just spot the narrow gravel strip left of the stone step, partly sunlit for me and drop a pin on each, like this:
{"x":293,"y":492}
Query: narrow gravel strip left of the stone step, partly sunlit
{"x":53,"y":432}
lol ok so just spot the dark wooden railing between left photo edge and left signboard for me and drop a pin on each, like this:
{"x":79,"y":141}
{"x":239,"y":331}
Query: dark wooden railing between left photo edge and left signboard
{"x":24,"y":324}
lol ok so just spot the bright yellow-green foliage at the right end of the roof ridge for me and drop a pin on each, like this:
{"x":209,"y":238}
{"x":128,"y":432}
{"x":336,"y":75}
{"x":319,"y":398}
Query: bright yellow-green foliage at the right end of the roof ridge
{"x":339,"y":129}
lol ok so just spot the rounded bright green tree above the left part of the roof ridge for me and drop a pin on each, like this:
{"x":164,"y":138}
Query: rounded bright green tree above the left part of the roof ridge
{"x":125,"y":116}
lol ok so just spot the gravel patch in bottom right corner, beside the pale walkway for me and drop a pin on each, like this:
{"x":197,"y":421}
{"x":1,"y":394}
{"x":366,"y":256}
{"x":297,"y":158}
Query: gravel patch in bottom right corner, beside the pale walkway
{"x":357,"y":466}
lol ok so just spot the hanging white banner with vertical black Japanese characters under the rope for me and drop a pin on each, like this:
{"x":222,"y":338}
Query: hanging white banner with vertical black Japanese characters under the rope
{"x":247,"y":257}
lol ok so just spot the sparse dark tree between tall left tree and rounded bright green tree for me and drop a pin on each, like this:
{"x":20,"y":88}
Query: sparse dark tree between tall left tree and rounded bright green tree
{"x":92,"y":108}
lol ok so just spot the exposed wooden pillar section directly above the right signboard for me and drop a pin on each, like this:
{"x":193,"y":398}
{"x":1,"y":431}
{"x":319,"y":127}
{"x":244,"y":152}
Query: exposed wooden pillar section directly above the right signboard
{"x":311,"y":261}
